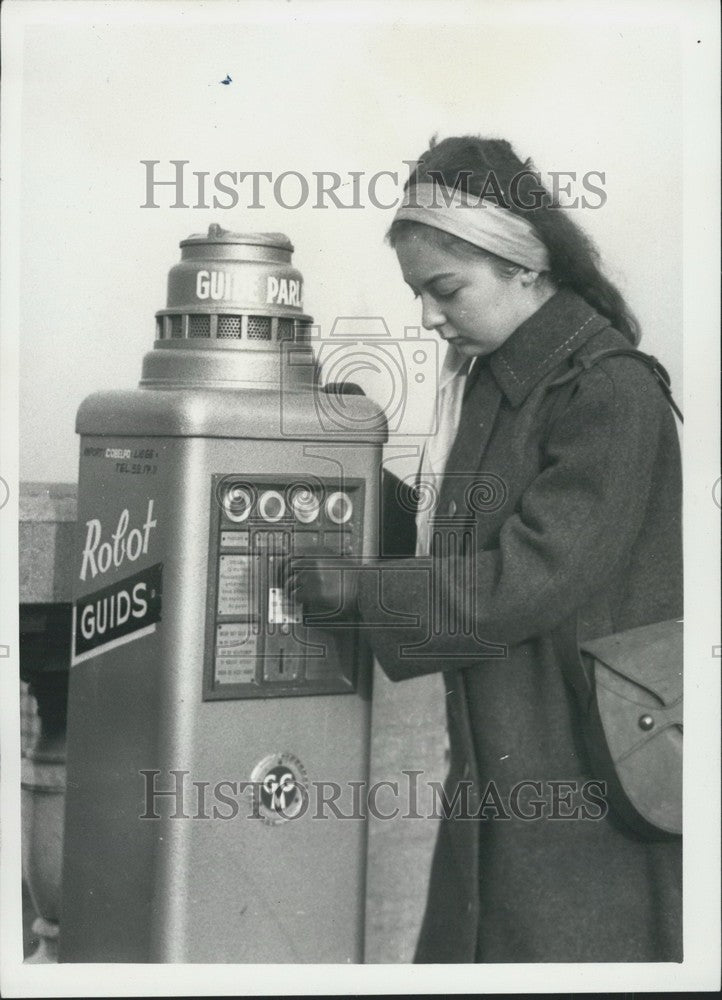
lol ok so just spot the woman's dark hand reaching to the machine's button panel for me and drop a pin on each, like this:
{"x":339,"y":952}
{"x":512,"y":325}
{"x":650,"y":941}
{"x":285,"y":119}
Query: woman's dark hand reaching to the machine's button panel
{"x":322,"y":583}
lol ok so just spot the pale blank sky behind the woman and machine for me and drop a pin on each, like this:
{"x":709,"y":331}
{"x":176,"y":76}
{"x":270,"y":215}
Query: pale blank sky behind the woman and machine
{"x":316,"y":87}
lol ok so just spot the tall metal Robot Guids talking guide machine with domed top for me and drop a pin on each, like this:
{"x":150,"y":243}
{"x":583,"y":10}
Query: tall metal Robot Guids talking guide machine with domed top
{"x":208,"y":721}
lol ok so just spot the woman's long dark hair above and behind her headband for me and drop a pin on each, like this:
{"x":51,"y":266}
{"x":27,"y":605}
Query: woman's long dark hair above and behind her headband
{"x":492,"y":168}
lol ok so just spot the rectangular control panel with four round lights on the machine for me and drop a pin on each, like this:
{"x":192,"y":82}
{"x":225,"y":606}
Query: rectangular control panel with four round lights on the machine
{"x":260,"y":643}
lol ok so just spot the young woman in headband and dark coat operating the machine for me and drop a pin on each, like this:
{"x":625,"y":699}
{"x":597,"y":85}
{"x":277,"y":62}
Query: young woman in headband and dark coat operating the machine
{"x":554,"y":507}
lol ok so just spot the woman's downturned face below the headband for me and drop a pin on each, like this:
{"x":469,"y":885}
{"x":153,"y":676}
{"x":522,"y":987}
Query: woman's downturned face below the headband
{"x":465,"y":299}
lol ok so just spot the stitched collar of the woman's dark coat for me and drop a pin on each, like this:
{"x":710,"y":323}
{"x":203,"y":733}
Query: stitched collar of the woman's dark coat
{"x":542,"y":342}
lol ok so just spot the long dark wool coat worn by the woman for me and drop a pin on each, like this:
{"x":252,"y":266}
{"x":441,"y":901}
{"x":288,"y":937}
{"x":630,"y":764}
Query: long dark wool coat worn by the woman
{"x":553,"y":502}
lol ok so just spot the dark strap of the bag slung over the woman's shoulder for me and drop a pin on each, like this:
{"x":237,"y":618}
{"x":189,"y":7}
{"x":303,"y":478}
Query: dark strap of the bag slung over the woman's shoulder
{"x":568,"y":642}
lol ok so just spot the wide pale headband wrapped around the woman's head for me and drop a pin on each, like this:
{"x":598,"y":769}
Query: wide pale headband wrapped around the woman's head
{"x":480,"y":222}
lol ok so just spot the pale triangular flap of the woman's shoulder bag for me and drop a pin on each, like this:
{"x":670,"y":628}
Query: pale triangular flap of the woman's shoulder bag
{"x":650,"y":656}
